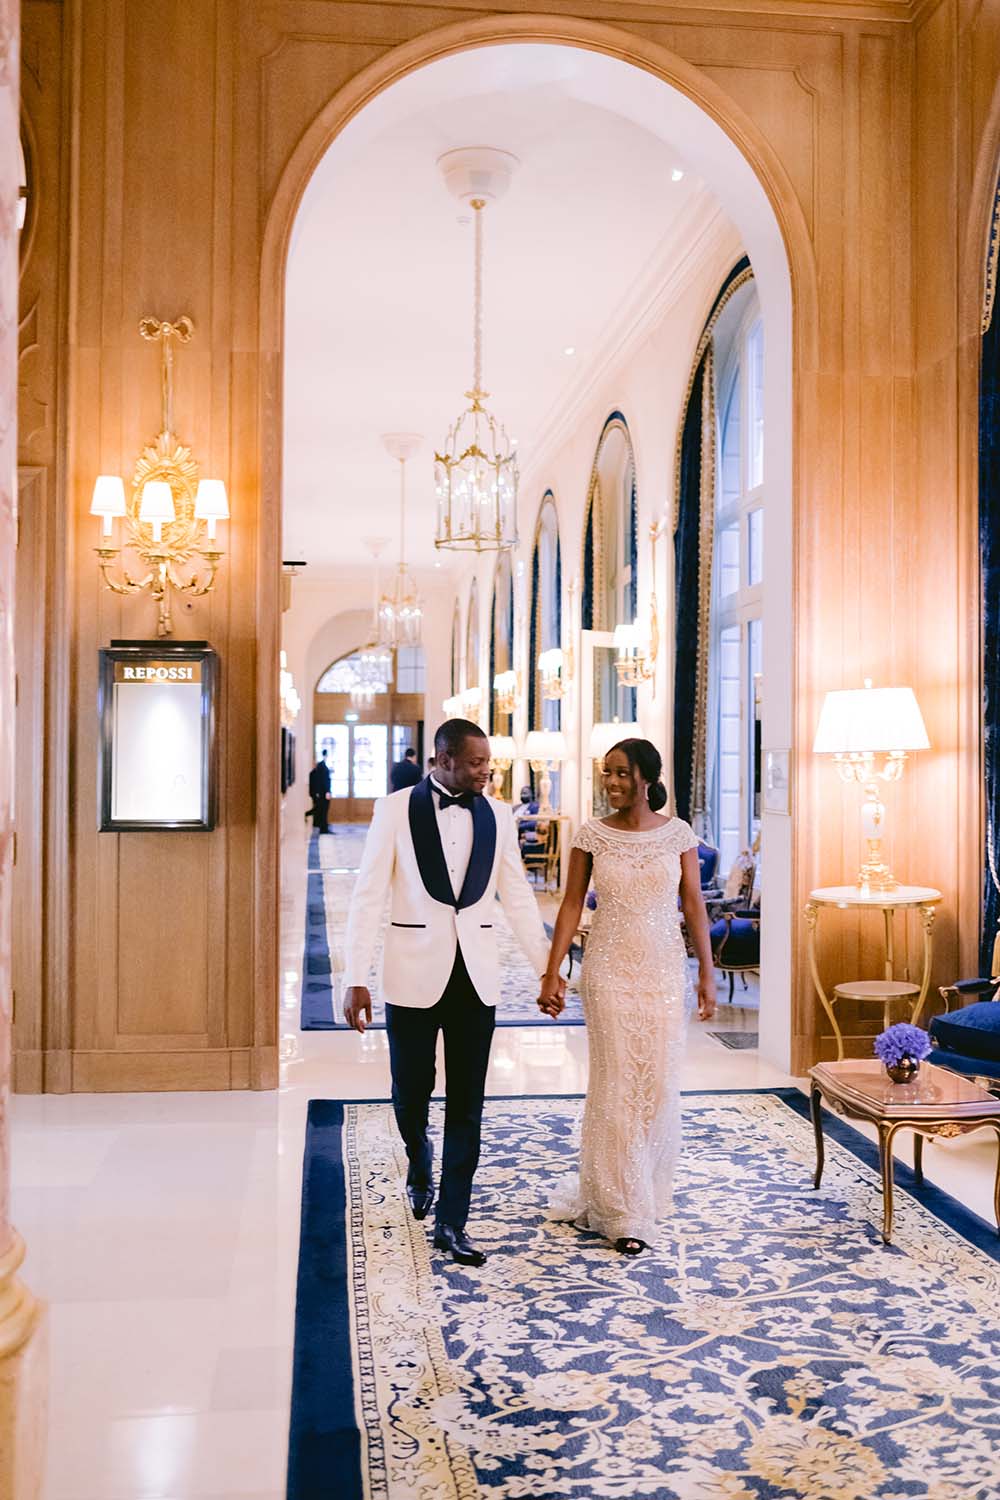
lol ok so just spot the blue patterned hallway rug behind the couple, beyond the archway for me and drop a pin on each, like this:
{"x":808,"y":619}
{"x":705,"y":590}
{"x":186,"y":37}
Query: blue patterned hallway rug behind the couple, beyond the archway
{"x":328,"y":901}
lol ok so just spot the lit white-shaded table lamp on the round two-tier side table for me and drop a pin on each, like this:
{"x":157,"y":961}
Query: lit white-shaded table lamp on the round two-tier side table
{"x":858,"y":727}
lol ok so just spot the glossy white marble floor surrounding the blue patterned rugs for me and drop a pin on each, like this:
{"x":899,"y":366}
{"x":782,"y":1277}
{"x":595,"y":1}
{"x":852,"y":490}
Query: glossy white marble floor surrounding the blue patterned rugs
{"x":164,"y":1232}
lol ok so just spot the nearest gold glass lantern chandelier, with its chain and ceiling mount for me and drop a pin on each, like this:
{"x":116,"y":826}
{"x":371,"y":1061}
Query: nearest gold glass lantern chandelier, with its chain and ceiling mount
{"x":476,"y":473}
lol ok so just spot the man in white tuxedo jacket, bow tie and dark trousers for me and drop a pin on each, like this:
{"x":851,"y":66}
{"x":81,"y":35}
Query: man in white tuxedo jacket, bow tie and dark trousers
{"x":443,"y":853}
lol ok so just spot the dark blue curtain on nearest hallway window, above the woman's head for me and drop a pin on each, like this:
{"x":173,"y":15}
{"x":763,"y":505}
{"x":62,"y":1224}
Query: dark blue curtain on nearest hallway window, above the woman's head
{"x":687,"y":595}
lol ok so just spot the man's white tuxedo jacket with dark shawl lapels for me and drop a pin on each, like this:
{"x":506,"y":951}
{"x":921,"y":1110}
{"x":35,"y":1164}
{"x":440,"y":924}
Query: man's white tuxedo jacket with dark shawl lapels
{"x":404,"y":859}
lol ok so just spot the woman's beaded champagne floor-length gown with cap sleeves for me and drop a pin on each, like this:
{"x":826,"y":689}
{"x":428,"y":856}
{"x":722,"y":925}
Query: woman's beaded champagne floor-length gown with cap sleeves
{"x":635,"y":991}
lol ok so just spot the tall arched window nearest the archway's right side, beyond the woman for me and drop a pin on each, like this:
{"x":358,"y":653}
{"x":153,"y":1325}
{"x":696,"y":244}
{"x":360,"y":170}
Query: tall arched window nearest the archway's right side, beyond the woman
{"x":738,"y":580}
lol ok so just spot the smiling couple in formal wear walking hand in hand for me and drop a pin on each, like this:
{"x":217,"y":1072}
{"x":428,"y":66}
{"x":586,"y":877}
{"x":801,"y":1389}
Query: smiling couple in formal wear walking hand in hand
{"x":443,"y":853}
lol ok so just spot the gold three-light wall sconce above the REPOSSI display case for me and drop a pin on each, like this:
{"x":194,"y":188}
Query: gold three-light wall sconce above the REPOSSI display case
{"x":170,"y":514}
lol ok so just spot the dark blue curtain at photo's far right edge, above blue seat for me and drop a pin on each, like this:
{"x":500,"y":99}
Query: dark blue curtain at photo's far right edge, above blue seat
{"x":990,"y":562}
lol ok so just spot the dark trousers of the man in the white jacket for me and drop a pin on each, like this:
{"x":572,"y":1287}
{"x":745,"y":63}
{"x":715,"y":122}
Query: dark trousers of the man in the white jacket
{"x":413,"y":1040}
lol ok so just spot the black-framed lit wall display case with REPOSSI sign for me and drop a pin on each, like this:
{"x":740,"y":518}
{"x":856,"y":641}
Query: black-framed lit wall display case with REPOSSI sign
{"x":158,"y":736}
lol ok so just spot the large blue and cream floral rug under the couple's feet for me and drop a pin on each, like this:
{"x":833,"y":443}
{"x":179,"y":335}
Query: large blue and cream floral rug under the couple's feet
{"x":770,"y":1346}
